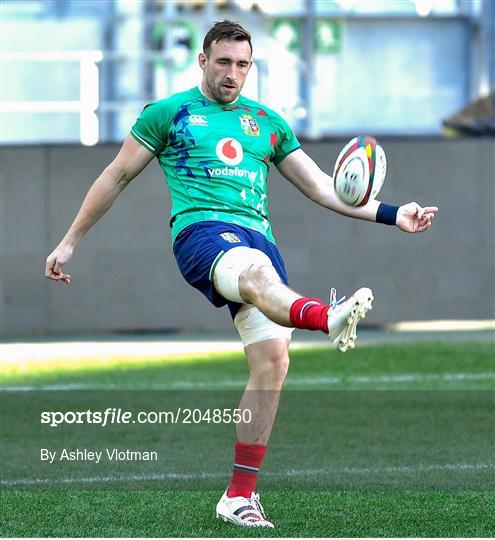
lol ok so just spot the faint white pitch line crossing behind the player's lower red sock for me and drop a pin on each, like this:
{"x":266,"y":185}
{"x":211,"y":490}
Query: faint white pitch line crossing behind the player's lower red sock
{"x":402,"y":469}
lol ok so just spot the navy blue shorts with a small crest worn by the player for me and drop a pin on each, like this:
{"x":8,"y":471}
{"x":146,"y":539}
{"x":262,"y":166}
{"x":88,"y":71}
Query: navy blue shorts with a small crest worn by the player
{"x":199,"y":244}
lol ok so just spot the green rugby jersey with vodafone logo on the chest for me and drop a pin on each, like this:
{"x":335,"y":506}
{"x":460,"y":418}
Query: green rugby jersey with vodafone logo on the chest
{"x":215,"y":157}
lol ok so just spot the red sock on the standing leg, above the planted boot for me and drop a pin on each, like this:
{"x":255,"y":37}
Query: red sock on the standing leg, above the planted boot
{"x":247,"y":463}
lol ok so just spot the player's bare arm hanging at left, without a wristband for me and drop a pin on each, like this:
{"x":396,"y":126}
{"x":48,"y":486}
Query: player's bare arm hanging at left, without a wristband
{"x":129,"y":162}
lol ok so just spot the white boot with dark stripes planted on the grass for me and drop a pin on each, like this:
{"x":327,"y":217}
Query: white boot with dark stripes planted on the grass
{"x":243,"y":511}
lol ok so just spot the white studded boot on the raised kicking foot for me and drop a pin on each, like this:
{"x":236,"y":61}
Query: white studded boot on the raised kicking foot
{"x":343,"y":317}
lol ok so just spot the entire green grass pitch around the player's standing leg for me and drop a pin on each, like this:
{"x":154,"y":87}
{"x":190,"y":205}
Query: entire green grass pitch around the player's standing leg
{"x":394,"y":440}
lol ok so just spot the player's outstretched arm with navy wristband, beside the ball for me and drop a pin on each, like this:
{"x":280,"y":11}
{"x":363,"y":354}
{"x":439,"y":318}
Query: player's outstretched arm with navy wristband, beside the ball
{"x":305,"y":174}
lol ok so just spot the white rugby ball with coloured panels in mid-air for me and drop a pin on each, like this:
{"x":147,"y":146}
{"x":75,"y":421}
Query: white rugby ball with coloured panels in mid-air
{"x":359,"y":171}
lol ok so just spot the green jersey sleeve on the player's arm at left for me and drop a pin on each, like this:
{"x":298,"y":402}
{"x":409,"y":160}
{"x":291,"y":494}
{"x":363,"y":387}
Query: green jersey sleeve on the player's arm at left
{"x":151,"y":127}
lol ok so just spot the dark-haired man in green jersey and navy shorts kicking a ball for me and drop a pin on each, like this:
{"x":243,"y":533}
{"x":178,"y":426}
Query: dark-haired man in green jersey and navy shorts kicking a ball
{"x":215,"y":147}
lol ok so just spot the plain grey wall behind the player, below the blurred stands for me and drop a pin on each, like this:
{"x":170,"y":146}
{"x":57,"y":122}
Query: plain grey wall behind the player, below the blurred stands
{"x":124,"y":275}
